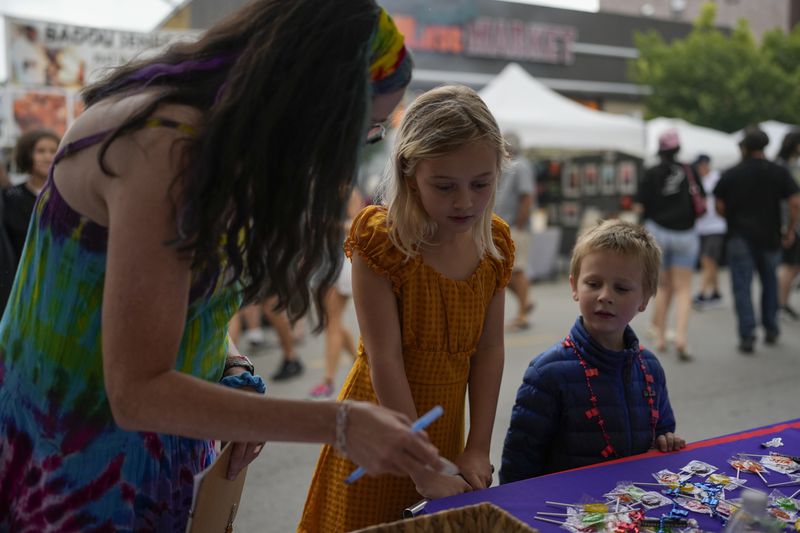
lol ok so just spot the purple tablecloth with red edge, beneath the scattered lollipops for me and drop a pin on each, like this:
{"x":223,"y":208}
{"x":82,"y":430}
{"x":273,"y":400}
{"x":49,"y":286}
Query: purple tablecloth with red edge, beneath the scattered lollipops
{"x":524,"y":498}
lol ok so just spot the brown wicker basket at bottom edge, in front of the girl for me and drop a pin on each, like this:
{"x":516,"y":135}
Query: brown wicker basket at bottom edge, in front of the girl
{"x":480,"y":518}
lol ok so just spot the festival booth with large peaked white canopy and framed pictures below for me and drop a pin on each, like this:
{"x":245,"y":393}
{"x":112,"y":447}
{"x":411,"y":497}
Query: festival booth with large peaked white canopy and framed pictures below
{"x":588,"y":161}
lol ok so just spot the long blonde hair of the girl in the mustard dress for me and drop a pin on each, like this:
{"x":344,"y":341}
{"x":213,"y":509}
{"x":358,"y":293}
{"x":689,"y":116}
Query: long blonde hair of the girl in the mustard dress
{"x":438,"y":122}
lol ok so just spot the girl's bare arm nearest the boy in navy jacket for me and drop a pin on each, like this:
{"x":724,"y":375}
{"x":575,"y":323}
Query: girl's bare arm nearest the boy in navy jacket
{"x":485,"y":375}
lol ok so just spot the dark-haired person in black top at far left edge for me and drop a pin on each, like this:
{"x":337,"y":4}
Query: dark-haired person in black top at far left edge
{"x":34,"y":154}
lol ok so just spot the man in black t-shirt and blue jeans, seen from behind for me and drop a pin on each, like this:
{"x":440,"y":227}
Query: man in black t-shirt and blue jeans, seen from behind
{"x":749,"y":196}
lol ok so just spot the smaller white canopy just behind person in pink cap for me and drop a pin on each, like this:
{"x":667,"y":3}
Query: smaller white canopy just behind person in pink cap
{"x":721,"y":147}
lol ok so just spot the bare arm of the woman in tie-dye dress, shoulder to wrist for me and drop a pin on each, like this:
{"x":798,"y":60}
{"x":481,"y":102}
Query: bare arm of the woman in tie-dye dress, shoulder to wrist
{"x":145,"y":302}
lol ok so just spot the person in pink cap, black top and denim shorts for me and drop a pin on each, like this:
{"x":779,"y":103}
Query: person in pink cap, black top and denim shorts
{"x":665,"y":201}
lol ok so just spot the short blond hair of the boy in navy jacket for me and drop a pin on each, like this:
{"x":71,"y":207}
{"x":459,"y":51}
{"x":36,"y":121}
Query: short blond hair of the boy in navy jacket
{"x":624,"y":238}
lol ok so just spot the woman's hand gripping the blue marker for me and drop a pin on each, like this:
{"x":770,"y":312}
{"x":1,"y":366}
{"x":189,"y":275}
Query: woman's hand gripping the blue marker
{"x":380,"y":441}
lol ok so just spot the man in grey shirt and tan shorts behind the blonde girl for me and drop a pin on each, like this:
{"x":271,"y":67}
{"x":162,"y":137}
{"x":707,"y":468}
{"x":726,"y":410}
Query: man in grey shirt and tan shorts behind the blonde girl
{"x":515,"y":199}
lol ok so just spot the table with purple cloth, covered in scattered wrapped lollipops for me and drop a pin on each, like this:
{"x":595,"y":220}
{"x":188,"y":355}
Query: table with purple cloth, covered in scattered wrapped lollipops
{"x":701,"y":485}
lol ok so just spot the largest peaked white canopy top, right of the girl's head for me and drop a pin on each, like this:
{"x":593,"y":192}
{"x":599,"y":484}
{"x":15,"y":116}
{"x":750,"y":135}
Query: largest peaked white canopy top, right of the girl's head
{"x":543,"y":119}
